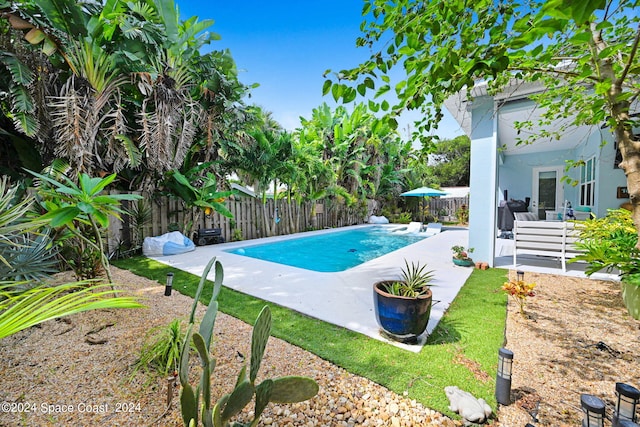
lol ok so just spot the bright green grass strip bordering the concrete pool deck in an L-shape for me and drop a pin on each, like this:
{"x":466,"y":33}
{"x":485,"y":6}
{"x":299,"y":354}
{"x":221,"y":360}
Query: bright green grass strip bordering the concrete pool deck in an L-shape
{"x":462,"y":351}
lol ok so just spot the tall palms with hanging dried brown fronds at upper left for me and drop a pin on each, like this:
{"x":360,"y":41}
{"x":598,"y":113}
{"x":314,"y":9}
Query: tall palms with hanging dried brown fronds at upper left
{"x":119,"y":98}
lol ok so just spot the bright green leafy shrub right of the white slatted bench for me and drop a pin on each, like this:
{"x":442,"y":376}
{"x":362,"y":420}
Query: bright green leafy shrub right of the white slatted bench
{"x":609,"y":243}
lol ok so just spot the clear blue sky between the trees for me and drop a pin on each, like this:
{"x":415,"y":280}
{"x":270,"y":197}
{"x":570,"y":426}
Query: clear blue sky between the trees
{"x":286,"y":46}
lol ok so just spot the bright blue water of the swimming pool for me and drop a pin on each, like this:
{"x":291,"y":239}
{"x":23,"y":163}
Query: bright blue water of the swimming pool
{"x":330,"y":252}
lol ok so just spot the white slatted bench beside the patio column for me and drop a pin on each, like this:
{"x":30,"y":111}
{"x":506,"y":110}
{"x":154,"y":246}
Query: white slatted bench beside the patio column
{"x":545,"y":238}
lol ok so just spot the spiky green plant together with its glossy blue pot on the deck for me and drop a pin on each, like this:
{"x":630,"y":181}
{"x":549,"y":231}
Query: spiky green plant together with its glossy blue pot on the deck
{"x":403,"y":306}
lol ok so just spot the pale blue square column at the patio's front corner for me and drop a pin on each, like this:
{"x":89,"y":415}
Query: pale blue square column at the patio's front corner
{"x":483,"y":177}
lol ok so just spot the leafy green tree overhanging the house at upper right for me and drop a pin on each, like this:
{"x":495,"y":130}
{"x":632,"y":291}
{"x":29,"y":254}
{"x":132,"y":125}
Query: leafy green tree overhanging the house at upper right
{"x":584,"y":51}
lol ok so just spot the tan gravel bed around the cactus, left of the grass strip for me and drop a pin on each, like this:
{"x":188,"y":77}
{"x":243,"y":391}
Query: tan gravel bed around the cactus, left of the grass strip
{"x":79,"y":372}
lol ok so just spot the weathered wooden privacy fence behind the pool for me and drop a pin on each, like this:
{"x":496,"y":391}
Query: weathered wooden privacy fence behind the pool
{"x":251,"y":219}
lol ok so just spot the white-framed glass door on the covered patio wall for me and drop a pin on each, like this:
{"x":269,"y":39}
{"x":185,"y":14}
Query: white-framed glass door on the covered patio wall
{"x":547,"y":192}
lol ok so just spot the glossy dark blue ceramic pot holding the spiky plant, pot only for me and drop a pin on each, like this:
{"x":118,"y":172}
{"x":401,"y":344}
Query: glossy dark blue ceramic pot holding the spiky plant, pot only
{"x":402,"y":319}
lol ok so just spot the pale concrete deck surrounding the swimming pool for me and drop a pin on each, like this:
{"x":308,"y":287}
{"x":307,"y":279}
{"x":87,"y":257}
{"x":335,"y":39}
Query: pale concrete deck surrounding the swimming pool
{"x":343,"y":298}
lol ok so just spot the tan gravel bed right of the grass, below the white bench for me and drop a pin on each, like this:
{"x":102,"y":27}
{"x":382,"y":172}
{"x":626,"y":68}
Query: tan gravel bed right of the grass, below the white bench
{"x":576,"y":337}
